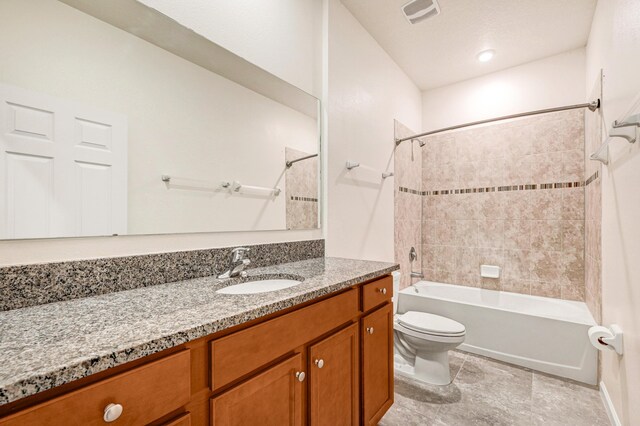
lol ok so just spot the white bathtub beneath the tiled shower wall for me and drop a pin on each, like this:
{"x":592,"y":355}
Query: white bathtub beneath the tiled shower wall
{"x":544,"y":334}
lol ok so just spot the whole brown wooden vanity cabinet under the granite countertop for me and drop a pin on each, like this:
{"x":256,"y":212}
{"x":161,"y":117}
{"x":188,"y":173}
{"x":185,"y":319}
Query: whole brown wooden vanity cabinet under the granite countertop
{"x":328,"y":362}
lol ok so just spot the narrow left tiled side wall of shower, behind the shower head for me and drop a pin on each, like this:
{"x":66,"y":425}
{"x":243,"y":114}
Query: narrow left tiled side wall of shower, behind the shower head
{"x":408,"y":203}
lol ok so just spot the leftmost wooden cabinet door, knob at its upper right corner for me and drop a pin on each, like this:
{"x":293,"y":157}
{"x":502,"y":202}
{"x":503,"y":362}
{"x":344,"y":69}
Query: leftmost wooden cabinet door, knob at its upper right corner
{"x":273,"y":397}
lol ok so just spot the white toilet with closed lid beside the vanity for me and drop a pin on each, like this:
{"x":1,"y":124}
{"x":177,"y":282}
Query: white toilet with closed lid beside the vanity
{"x":422,"y":342}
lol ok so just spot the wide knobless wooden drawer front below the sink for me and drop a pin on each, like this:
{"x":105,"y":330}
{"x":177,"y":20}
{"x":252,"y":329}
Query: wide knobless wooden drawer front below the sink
{"x":238,"y":354}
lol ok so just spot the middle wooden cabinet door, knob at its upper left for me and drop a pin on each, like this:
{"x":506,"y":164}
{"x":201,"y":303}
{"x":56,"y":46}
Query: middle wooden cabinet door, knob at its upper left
{"x":334,"y":379}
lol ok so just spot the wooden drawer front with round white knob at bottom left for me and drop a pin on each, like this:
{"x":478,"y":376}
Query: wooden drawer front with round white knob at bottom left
{"x":145,"y":393}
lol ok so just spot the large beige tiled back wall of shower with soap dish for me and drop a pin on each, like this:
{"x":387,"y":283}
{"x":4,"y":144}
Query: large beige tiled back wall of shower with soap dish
{"x":509,"y":194}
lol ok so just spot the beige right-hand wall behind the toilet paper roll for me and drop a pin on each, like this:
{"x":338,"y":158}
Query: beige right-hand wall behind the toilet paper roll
{"x":614,"y":46}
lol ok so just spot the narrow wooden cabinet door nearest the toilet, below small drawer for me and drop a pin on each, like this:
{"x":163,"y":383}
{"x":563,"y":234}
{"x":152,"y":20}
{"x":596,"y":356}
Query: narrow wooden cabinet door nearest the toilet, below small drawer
{"x":377,"y":364}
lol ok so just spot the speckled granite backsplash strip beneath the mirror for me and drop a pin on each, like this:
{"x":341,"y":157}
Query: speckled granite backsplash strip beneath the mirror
{"x":30,"y":285}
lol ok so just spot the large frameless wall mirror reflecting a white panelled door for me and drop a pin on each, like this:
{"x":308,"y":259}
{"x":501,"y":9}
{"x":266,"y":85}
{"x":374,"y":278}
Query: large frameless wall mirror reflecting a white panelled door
{"x":116,"y":119}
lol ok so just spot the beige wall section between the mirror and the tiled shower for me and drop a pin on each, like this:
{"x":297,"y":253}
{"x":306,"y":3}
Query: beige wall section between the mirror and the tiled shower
{"x":366,"y":92}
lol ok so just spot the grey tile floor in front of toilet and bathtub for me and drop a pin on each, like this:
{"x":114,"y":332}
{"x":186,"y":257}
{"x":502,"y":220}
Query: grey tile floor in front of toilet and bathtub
{"x":488,"y":392}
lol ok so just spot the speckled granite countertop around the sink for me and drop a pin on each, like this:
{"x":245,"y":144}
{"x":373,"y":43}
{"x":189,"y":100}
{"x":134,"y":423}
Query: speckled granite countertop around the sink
{"x":49,"y":345}
